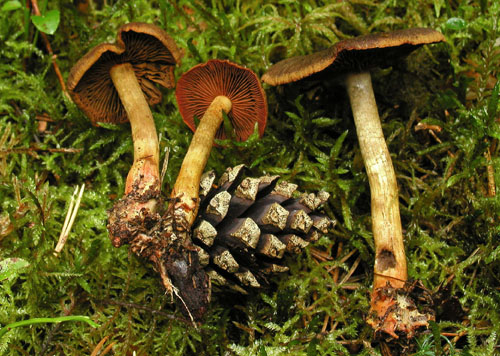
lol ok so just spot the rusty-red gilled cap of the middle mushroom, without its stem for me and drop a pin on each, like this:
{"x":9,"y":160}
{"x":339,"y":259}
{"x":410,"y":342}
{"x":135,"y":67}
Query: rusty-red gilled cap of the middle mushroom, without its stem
{"x":199,"y":86}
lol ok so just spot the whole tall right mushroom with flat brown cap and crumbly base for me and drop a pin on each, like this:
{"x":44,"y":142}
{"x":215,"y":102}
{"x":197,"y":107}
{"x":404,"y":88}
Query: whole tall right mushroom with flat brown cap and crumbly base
{"x":353,"y":58}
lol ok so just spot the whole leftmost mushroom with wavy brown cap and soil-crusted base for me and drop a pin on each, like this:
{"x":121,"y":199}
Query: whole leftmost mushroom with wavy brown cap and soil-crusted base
{"x":115,"y":83}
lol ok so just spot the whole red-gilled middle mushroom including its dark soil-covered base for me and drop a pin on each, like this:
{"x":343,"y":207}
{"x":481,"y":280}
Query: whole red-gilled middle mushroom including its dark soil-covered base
{"x":205,"y":91}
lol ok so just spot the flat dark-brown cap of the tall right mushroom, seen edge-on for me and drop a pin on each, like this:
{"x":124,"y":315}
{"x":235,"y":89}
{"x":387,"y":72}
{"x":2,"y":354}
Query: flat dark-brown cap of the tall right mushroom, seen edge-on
{"x":356,"y":54}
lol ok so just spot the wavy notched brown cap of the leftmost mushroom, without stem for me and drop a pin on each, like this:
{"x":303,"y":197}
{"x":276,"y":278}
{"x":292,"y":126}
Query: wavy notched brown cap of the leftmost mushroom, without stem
{"x":153,"y":55}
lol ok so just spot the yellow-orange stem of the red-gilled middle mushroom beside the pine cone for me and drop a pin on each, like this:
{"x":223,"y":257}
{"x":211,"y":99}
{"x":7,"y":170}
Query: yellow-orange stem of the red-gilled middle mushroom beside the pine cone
{"x":186,"y":187}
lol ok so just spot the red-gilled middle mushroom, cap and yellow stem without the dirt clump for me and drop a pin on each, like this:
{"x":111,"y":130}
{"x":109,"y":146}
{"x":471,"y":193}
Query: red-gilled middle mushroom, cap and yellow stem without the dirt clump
{"x":205,"y":92}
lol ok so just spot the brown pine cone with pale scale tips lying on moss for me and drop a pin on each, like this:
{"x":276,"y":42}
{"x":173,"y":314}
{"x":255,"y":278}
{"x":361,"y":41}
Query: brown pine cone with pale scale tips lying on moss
{"x":246,"y":225}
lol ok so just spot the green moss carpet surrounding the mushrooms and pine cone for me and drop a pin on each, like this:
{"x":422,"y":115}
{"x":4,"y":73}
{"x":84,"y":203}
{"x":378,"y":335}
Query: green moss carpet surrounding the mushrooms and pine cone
{"x":451,"y":220}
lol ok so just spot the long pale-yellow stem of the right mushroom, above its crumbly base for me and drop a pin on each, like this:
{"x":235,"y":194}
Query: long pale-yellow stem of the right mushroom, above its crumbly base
{"x":390,"y":260}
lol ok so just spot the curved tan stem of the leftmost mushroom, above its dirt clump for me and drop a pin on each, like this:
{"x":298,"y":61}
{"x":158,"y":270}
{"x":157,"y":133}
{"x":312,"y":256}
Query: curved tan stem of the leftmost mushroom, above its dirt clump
{"x":146,"y":151}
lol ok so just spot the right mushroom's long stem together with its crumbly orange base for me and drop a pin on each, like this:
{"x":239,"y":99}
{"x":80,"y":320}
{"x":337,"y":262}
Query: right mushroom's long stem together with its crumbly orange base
{"x":390,"y":311}
